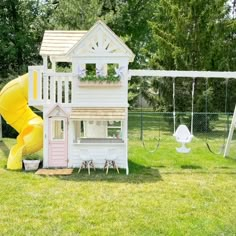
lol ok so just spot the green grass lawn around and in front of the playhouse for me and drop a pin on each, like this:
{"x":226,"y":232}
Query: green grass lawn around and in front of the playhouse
{"x":166,"y":193}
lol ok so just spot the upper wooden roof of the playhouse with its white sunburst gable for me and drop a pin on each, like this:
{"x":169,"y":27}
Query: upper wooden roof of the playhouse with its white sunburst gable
{"x":100,"y":40}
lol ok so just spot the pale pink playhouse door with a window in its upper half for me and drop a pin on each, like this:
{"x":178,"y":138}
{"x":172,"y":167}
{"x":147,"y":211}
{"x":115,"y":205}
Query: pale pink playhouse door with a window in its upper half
{"x":58,"y":156}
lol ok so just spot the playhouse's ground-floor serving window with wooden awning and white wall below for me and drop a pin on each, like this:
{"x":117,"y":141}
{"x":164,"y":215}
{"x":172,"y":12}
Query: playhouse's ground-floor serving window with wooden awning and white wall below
{"x":102,"y":133}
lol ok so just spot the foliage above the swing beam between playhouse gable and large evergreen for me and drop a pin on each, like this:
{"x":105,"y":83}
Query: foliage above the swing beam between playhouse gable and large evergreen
{"x":130,"y":21}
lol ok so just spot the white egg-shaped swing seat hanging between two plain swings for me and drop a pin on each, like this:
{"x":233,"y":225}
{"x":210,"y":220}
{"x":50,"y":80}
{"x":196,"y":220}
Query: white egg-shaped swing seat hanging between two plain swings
{"x":183,"y":136}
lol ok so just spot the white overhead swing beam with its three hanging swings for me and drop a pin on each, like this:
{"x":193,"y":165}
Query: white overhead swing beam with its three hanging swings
{"x":182,"y":134}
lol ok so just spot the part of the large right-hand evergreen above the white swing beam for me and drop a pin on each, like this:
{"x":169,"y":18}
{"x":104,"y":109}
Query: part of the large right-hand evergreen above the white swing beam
{"x":189,"y":35}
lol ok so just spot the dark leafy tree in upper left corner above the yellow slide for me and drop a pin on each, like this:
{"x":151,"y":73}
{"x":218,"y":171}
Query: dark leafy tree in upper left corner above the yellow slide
{"x":22,"y":23}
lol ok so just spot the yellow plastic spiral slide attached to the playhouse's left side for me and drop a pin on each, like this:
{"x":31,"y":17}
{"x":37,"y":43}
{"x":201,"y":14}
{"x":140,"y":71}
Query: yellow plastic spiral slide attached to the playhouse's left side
{"x":15,"y":110}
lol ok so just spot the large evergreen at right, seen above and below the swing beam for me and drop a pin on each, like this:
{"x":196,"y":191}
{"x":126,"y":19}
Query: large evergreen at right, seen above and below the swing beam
{"x":192,"y":35}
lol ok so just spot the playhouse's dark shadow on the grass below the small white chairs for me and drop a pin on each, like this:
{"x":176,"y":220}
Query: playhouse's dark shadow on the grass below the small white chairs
{"x":138,"y":174}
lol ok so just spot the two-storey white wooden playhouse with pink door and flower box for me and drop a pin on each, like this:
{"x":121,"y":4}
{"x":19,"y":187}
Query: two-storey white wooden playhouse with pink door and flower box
{"x":82,"y":117}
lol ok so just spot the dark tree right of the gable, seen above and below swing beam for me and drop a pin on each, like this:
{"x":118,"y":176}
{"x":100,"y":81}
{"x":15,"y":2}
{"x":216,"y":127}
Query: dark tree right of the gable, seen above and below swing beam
{"x":129,"y":20}
